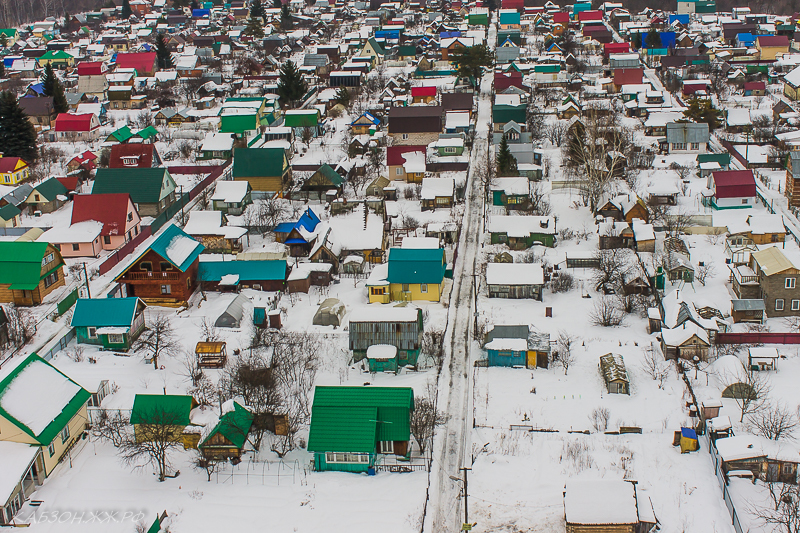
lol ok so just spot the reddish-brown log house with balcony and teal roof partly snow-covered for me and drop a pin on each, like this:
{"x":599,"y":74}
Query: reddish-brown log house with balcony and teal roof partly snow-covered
{"x":166,"y":272}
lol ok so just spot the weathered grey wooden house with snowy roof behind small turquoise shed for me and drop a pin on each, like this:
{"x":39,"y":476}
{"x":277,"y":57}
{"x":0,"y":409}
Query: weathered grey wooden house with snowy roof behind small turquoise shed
{"x":397,"y":326}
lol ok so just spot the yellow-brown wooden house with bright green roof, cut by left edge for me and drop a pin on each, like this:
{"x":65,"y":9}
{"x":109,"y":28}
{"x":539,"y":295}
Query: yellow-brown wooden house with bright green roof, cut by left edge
{"x":29,"y":271}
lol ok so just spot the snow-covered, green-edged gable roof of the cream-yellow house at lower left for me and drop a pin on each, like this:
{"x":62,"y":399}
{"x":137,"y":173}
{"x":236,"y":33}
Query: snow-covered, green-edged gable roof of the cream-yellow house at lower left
{"x":44,"y":372}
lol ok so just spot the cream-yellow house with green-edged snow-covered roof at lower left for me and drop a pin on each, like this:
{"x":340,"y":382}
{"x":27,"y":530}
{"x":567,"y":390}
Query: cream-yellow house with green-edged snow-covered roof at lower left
{"x":41,"y":406}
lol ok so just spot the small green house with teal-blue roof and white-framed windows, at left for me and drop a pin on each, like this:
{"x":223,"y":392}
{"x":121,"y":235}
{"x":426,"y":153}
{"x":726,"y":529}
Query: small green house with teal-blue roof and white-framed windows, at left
{"x":113,"y":323}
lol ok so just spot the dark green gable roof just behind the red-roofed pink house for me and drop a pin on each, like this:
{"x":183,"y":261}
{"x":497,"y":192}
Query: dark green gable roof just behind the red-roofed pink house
{"x":145,"y":185}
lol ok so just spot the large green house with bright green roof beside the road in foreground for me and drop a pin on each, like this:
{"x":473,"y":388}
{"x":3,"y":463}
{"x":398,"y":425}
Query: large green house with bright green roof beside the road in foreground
{"x":352,"y":426}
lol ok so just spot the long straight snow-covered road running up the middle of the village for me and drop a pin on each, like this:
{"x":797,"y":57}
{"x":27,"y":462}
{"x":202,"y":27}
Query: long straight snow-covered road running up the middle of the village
{"x":450,"y":452}
